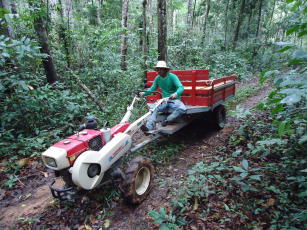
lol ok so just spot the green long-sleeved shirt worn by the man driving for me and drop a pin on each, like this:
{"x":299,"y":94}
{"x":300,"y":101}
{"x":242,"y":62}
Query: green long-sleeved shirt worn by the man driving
{"x":168,"y":85}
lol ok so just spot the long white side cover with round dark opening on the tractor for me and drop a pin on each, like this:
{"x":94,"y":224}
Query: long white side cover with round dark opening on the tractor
{"x":105,"y":157}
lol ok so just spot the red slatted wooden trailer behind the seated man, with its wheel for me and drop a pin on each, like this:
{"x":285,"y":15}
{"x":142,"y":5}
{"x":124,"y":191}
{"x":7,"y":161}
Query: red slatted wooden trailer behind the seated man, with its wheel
{"x":200,"y":95}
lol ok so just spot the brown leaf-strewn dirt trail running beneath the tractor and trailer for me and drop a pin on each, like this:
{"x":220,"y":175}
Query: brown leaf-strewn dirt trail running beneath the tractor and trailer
{"x":36,"y":201}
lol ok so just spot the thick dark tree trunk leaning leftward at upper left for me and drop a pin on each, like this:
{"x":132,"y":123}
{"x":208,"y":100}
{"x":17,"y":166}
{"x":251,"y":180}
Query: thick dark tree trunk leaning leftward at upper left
{"x":43,"y":40}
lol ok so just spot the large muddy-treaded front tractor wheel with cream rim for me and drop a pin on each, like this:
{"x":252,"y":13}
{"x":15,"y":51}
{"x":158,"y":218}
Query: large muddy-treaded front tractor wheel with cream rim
{"x":138,"y":181}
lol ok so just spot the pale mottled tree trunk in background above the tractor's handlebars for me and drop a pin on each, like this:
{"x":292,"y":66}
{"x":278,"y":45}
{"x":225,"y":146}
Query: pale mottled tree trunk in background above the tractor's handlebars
{"x":124,"y":48}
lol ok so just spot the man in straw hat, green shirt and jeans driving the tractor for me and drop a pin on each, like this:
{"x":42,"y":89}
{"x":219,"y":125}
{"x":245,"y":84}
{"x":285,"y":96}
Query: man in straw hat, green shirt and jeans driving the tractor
{"x":171,"y":87}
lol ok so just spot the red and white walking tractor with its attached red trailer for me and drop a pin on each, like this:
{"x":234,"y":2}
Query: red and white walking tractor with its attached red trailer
{"x":93,"y":158}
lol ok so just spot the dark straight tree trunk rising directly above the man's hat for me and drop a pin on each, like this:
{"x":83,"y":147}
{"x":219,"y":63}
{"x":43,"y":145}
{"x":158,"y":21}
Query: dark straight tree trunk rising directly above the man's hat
{"x":162,"y":30}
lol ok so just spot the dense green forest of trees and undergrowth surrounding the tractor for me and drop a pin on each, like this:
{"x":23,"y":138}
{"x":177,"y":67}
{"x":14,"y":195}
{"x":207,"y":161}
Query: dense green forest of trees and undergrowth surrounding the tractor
{"x":62,"y":60}
